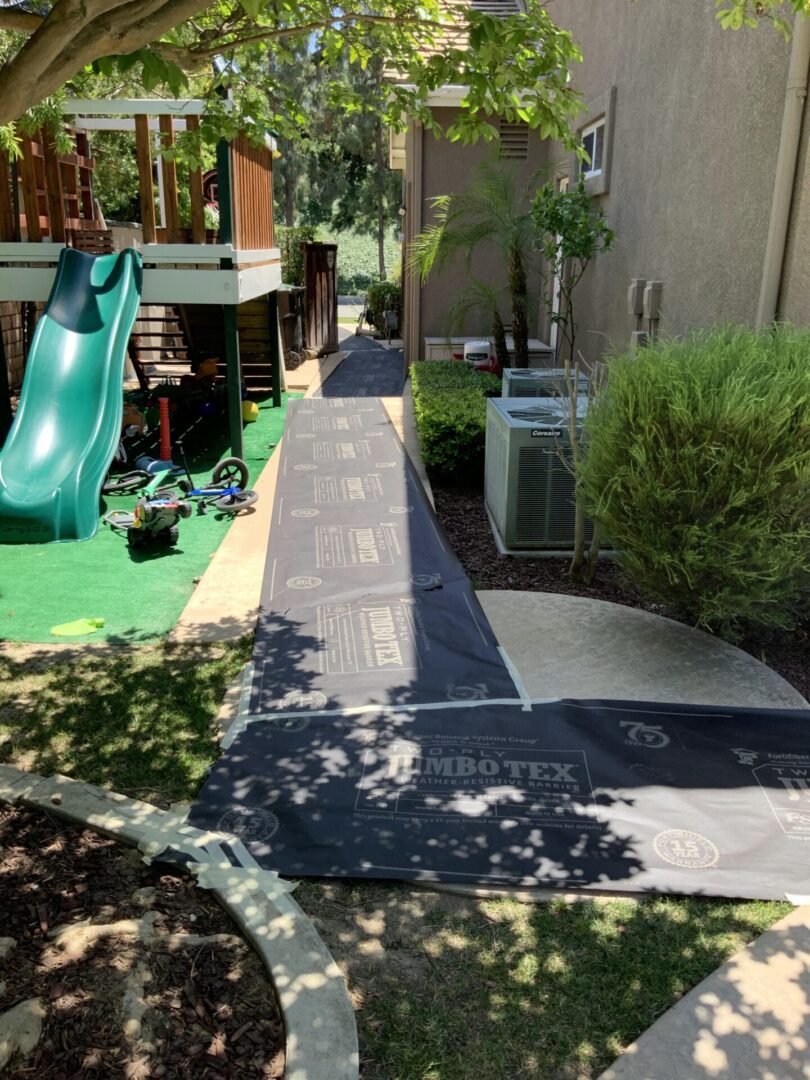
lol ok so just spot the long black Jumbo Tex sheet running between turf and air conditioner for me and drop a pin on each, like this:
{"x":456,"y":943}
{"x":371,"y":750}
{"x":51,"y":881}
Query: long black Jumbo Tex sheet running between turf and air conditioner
{"x":363,"y":601}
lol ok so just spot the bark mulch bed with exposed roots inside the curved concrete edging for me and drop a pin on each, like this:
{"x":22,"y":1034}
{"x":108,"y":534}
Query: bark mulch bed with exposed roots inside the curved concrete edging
{"x":139,"y":974}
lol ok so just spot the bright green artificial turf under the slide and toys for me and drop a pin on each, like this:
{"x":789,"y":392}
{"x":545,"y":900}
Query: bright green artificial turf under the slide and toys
{"x":141,"y":595}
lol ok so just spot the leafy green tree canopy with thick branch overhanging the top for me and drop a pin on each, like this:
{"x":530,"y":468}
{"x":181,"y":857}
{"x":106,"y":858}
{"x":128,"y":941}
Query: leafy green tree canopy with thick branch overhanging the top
{"x":517,"y":67}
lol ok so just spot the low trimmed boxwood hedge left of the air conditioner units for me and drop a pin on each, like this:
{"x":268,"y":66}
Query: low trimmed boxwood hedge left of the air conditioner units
{"x":450,"y":407}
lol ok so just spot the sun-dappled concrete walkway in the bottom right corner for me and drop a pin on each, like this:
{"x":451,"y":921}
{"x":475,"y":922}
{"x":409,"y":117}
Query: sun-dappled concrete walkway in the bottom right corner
{"x":749,"y":1021}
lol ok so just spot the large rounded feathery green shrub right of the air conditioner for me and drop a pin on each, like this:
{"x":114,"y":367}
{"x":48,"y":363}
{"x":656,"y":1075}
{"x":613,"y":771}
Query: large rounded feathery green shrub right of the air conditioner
{"x":698,"y":469}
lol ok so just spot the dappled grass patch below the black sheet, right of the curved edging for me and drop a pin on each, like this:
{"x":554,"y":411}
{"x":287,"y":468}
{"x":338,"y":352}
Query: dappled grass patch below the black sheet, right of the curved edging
{"x":453,"y":989}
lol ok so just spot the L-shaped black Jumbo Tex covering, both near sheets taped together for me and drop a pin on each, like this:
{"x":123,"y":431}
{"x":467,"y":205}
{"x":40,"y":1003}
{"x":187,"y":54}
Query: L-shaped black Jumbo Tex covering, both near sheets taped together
{"x":385,"y":737}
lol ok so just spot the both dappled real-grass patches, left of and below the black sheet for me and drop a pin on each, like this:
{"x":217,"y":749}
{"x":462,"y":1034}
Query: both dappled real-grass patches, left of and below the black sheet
{"x":445,"y":989}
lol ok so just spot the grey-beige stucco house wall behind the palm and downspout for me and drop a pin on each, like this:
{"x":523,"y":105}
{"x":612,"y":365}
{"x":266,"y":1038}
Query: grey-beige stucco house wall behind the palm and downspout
{"x":695,"y":121}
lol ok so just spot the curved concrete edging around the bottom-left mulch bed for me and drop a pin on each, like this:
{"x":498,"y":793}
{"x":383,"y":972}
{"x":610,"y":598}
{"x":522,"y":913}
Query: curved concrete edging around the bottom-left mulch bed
{"x":319,"y":1017}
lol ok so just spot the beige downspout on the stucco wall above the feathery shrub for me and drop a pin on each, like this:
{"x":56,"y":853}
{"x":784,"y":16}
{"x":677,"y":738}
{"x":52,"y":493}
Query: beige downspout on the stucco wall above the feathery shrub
{"x":786,"y":175}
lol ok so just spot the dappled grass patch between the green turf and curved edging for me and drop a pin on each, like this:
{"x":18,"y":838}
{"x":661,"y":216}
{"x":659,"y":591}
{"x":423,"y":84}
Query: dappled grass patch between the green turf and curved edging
{"x":140,"y":721}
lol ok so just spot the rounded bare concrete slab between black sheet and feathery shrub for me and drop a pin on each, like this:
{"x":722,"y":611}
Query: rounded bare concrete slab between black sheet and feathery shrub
{"x":584,"y":649}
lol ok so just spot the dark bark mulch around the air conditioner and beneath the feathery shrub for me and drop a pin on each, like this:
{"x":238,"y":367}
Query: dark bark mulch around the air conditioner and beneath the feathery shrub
{"x":465,"y":521}
